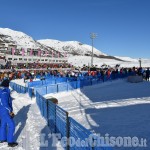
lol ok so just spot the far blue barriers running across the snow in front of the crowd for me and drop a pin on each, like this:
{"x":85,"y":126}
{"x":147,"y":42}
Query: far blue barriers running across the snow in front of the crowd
{"x":60,"y":84}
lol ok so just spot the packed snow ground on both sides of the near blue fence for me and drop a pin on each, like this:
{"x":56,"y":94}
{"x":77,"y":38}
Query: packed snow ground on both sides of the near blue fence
{"x":117,"y":108}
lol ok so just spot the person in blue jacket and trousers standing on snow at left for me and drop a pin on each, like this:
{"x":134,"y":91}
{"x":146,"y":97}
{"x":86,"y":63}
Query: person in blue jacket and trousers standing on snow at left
{"x":7,"y":126}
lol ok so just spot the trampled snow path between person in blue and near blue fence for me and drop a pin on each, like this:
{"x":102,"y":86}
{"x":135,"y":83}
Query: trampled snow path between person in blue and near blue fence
{"x":32,"y":132}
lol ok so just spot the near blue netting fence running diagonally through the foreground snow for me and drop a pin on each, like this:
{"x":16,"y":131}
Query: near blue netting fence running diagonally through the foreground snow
{"x":59,"y":121}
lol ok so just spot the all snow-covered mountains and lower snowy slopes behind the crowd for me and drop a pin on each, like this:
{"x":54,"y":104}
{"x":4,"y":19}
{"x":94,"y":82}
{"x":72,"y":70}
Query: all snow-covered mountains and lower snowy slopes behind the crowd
{"x":78,"y":53}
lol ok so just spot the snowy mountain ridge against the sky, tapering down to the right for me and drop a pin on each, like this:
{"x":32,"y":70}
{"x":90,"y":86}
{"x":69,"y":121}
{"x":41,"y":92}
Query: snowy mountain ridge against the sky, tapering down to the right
{"x":72,"y":48}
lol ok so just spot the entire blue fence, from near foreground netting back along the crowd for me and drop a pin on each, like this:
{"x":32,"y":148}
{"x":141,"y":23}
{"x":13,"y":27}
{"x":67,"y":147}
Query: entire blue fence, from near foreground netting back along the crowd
{"x":58,"y":119}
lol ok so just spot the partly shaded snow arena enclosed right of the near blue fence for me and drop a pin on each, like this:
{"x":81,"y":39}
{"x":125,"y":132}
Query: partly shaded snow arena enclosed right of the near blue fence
{"x":118,"y":108}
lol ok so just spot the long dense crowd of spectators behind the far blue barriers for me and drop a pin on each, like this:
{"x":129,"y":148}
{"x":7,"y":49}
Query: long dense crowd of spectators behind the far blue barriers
{"x":74,"y":72}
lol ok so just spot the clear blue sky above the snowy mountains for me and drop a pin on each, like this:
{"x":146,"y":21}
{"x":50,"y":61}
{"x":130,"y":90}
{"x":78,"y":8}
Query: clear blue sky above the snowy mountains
{"x":122,"y":26}
